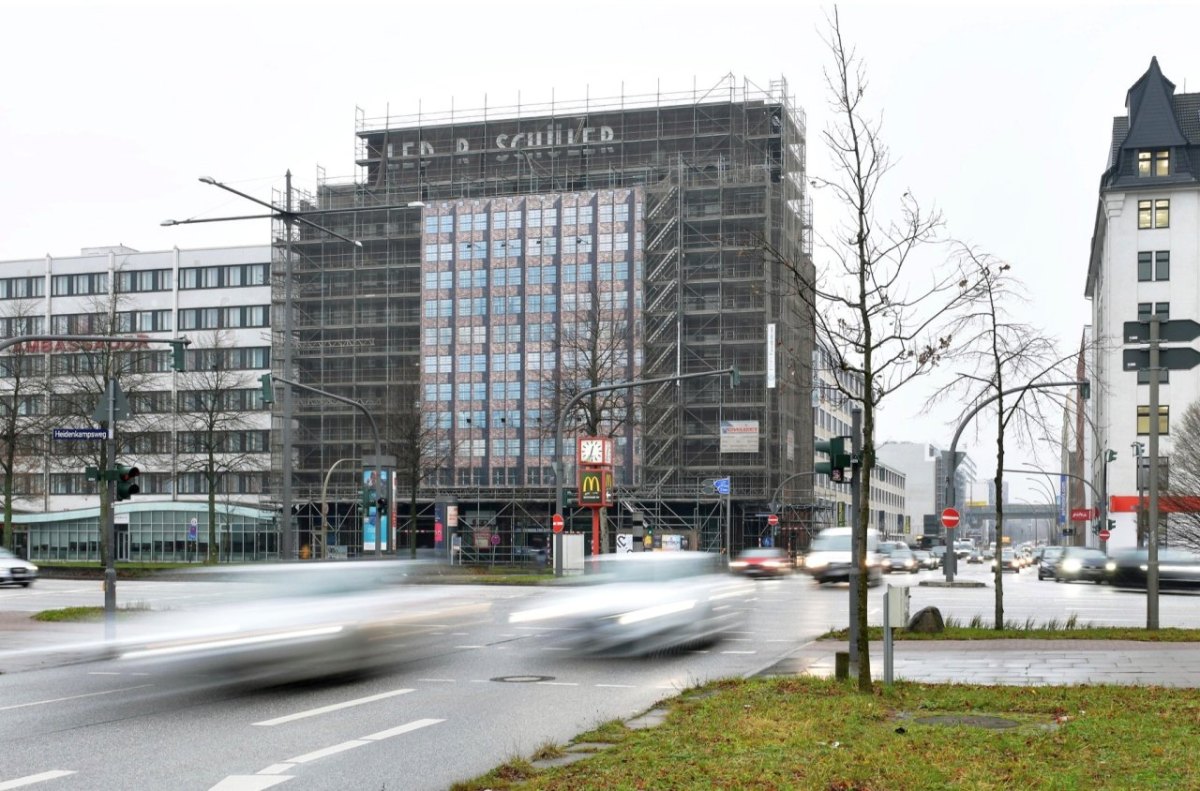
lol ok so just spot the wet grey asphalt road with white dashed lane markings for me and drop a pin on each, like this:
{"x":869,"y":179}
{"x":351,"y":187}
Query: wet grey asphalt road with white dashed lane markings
{"x":481,"y":692}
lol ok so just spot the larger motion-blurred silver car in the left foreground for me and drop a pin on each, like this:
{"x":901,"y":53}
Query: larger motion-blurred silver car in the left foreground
{"x":290,"y":622}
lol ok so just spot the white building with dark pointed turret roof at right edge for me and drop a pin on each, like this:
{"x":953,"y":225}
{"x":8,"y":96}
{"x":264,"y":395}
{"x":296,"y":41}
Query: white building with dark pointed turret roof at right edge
{"x":1144,"y":247}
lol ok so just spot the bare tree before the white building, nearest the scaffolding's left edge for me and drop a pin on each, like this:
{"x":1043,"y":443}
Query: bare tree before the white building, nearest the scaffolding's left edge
{"x":218,"y":436}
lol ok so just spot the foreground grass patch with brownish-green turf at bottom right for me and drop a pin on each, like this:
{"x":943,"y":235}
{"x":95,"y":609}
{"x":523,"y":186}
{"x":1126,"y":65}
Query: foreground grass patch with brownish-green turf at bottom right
{"x":800,"y":733}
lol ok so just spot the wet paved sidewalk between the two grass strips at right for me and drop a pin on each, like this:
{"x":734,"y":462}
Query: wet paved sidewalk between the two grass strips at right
{"x":1030,"y":663}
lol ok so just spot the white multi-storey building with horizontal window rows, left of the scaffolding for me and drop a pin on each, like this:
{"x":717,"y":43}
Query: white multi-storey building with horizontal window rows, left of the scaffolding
{"x":183,"y":430}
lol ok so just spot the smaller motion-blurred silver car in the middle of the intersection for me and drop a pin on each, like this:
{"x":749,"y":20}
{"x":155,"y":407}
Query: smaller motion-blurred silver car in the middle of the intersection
{"x":641,"y":603}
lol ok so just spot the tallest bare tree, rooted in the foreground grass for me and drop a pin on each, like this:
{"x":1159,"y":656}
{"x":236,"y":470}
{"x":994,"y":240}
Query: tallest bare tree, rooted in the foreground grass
{"x":881,"y":308}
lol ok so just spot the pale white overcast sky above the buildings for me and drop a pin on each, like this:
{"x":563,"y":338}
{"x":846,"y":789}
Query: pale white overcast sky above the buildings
{"x":999,"y":116}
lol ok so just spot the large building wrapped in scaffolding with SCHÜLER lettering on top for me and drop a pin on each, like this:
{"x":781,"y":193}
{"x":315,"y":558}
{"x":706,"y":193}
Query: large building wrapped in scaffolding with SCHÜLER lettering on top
{"x":505,"y":259}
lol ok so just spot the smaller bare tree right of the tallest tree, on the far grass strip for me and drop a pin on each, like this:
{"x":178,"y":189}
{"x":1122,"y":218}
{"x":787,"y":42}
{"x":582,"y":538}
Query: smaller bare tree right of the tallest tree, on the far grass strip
{"x":1000,"y":352}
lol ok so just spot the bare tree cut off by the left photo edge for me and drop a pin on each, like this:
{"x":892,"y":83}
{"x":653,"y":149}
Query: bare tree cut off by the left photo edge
{"x":23,"y":423}
